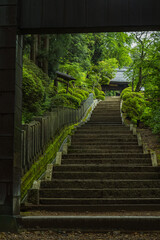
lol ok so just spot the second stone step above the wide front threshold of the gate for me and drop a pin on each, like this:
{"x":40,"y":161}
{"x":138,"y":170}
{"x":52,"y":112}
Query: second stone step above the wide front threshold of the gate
{"x":100,"y":201}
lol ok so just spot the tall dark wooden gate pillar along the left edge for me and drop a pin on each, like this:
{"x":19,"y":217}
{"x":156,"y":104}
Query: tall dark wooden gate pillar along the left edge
{"x":10,"y":112}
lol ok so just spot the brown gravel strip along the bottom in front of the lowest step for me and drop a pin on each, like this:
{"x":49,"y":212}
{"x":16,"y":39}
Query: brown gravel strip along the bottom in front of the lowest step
{"x":41,"y":235}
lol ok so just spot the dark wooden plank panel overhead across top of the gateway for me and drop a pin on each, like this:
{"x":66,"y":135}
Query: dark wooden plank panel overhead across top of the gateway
{"x":88,"y":15}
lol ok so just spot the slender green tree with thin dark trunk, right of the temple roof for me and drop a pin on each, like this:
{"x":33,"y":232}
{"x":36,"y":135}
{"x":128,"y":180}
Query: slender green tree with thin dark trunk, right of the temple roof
{"x":143,"y":58}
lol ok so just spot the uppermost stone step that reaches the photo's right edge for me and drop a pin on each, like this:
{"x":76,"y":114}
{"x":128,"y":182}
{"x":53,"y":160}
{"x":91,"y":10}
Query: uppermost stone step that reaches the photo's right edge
{"x":105,"y":168}
